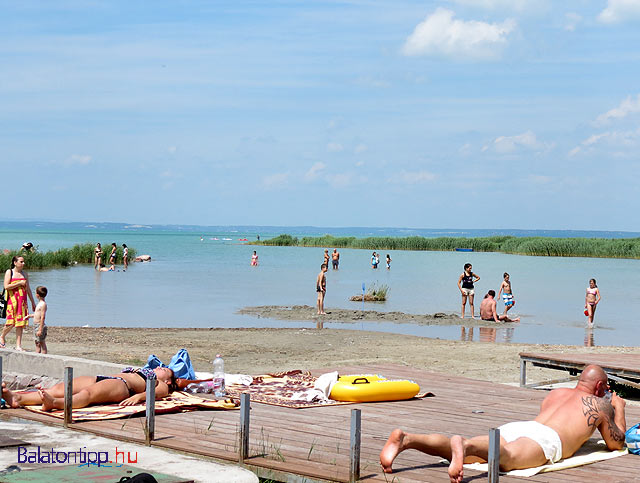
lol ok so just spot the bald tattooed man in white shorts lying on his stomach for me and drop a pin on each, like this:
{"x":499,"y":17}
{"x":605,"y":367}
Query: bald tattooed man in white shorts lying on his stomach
{"x":567,"y":419}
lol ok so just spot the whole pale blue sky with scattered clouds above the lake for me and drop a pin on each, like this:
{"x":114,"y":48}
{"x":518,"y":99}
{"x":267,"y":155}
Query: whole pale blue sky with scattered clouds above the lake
{"x":451,"y":113}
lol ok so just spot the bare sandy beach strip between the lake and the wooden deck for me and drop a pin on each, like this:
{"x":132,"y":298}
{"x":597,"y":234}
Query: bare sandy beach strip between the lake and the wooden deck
{"x":257,"y":351}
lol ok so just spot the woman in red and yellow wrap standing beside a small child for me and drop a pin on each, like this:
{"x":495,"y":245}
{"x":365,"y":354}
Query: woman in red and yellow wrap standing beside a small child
{"x":16,"y":283}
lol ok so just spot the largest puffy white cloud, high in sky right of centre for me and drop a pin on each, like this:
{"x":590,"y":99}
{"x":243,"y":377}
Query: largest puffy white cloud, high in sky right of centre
{"x":440,"y":34}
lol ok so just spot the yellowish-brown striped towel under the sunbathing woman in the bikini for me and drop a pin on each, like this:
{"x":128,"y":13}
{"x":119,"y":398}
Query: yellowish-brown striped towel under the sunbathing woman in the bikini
{"x":175,"y":402}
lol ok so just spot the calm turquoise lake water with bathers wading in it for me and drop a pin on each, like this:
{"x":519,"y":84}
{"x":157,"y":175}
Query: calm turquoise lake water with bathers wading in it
{"x":202,"y":283}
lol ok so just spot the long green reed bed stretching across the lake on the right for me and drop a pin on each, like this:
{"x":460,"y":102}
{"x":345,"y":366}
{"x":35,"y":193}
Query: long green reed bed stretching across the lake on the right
{"x":535,"y":246}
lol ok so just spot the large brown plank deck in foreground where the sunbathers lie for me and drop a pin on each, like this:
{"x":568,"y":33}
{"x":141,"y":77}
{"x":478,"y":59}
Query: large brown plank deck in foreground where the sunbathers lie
{"x":313,"y":444}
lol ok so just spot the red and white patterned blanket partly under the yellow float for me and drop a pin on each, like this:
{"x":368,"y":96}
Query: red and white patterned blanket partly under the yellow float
{"x":293,"y":389}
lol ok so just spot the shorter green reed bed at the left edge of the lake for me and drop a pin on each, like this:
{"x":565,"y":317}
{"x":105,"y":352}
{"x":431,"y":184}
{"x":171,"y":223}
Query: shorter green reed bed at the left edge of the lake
{"x":63,"y":257}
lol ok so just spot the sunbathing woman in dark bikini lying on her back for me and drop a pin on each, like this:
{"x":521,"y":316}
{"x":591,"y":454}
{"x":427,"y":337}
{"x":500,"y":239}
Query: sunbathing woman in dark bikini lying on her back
{"x":126,"y":388}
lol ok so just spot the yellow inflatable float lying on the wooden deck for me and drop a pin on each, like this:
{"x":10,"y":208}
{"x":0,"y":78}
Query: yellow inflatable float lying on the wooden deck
{"x":372,"y":387}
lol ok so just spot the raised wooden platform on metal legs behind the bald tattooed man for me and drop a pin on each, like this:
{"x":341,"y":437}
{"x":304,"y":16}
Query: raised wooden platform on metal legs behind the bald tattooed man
{"x":623,"y":368}
